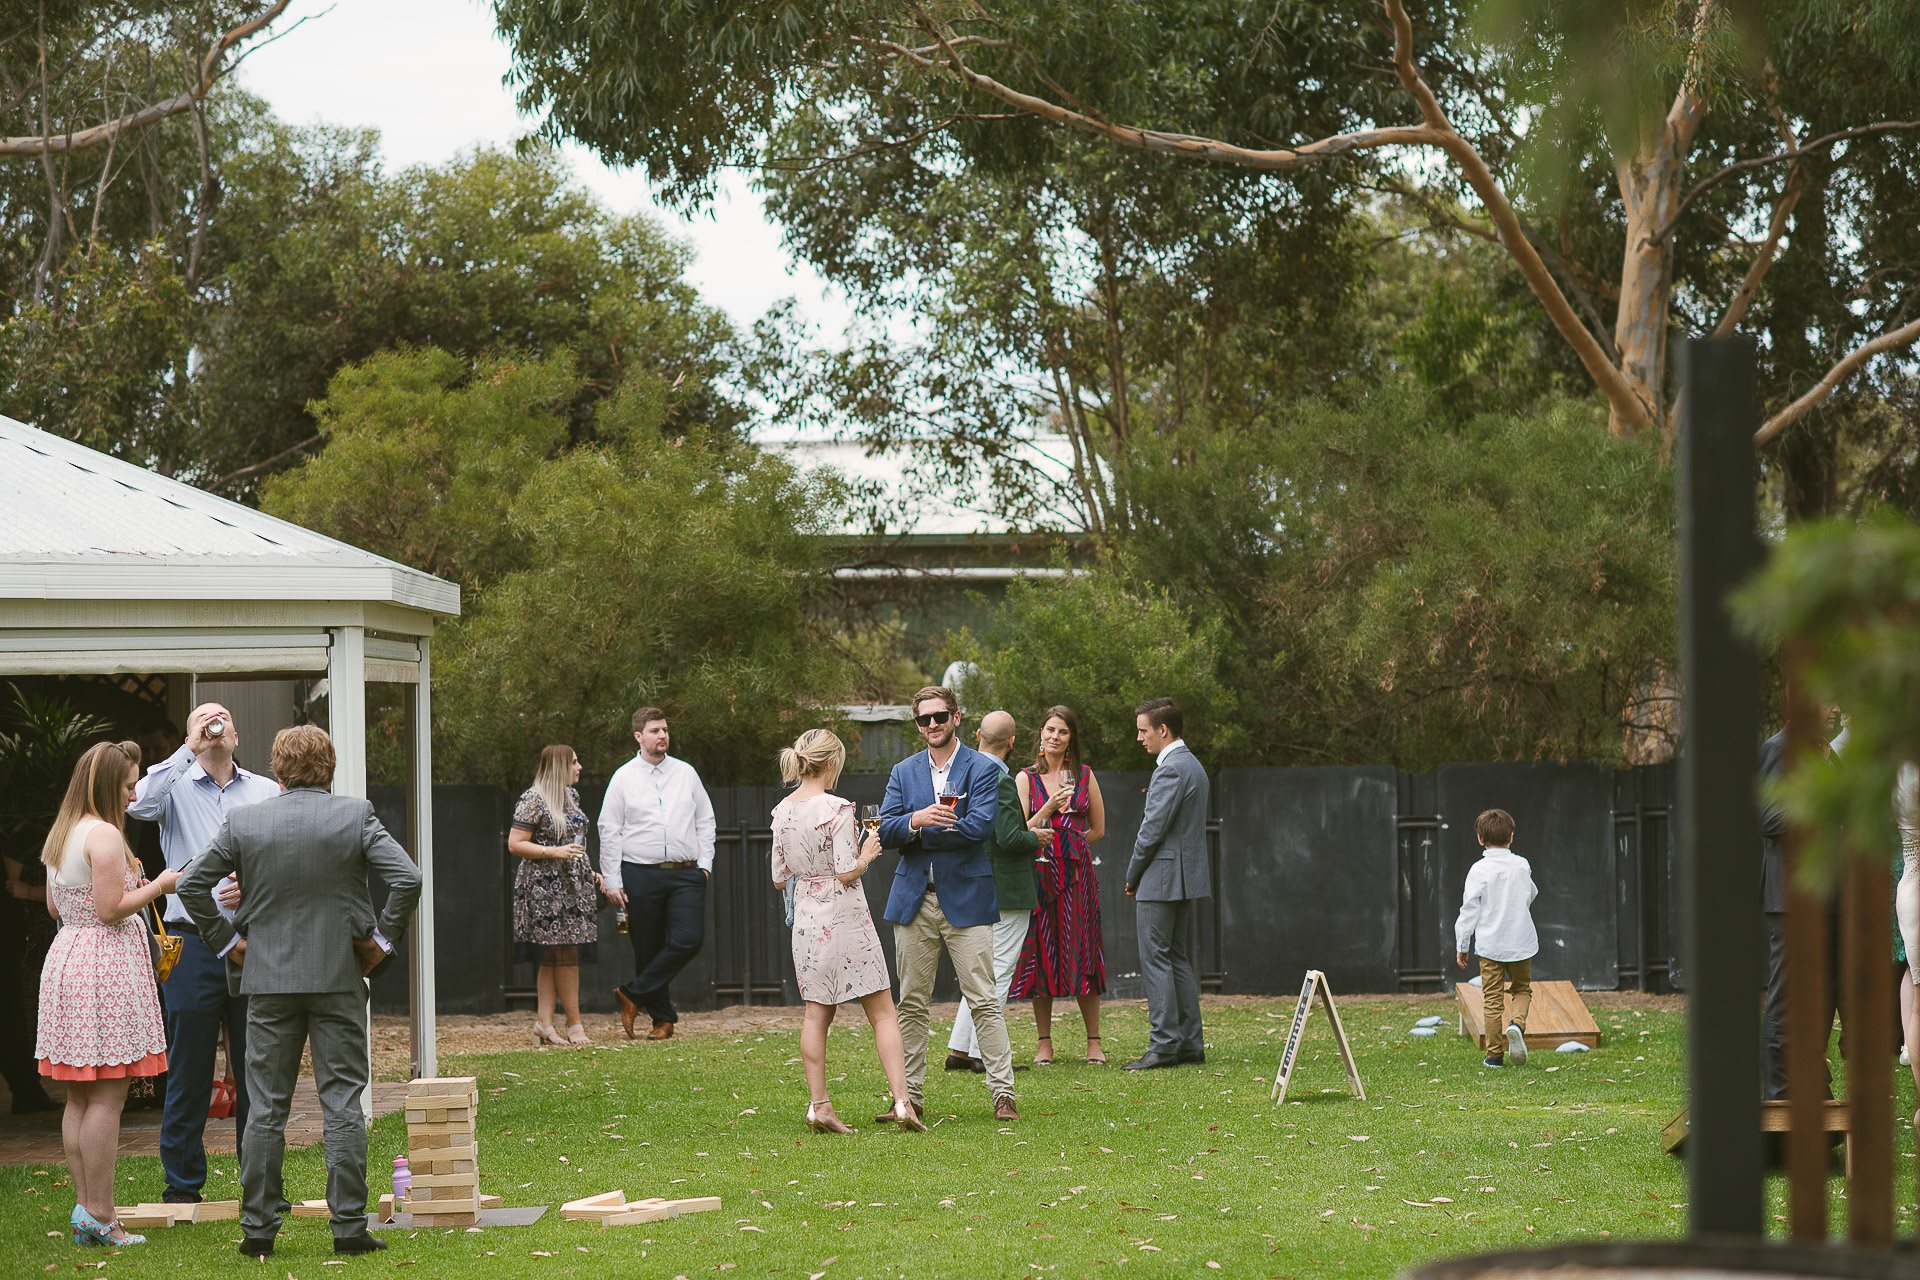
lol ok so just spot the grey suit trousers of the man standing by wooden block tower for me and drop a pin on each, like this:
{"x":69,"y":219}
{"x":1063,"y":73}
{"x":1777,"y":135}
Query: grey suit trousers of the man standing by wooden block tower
{"x":277,"y":1030}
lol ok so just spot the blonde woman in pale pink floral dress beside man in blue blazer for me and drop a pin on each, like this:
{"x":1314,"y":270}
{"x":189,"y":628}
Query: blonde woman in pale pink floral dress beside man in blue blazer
{"x":836,"y":951}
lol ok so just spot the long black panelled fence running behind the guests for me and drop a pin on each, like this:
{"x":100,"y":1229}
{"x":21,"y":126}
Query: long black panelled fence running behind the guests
{"x":1349,"y":870}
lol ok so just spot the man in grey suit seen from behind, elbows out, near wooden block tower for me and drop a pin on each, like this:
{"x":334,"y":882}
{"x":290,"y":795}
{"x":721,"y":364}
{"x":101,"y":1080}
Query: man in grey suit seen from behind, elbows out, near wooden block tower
{"x":304,"y":941}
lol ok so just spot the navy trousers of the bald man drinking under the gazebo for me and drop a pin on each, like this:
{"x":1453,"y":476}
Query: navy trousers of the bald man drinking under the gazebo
{"x":197,"y":1007}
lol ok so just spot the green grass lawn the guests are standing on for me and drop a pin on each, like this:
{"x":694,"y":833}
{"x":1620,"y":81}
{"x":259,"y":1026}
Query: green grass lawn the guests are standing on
{"x":1159,"y":1173}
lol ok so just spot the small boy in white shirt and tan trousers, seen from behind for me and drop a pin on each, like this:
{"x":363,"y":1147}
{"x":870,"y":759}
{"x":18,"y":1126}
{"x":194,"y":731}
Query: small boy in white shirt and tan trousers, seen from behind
{"x":1495,"y":911}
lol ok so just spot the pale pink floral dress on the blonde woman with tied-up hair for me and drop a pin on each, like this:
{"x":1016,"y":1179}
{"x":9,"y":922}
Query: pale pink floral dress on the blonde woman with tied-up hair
{"x":836,"y":951}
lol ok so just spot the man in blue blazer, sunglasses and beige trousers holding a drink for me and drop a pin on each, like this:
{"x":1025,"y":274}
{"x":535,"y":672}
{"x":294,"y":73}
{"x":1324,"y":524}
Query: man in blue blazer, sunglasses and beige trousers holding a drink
{"x":944,"y":891}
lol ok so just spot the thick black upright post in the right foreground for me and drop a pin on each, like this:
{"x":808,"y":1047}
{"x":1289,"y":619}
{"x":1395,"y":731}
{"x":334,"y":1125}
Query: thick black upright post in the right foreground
{"x":1719,"y":822}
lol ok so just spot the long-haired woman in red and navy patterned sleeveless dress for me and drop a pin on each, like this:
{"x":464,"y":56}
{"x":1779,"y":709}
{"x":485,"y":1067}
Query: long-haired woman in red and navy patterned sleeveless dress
{"x":1063,"y":955}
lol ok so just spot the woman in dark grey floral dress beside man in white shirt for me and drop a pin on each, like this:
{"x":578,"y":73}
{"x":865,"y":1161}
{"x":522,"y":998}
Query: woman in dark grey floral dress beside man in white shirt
{"x":556,"y":893}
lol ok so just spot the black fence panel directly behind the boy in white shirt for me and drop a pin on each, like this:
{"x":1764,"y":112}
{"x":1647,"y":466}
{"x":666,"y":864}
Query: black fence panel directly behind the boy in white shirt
{"x":1564,"y":817}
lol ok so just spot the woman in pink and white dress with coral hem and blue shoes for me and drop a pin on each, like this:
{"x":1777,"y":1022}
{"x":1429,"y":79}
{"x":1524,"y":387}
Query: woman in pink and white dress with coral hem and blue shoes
{"x":99,"y":1005}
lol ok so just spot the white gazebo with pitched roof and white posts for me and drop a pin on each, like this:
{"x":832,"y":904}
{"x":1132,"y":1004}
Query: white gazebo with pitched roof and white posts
{"x":114,"y":571}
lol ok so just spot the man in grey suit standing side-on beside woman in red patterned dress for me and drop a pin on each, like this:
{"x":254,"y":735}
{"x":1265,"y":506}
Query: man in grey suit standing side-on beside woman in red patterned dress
{"x":1166,"y":876}
